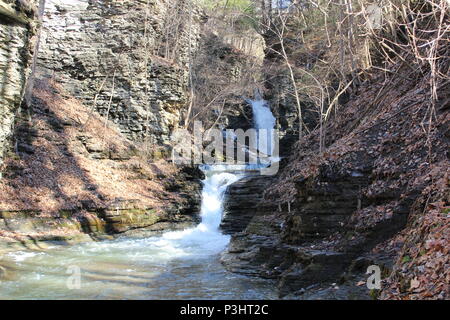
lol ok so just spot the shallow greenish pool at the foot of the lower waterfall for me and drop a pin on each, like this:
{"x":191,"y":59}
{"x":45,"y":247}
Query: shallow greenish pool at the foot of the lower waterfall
{"x":126,"y":269}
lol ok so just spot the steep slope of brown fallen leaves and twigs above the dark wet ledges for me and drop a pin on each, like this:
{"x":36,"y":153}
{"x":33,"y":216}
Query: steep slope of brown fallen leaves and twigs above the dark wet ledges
{"x":394,"y":129}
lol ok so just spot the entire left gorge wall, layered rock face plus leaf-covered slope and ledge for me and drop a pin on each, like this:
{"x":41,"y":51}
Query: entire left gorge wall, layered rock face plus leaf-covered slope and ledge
{"x":76,"y":171}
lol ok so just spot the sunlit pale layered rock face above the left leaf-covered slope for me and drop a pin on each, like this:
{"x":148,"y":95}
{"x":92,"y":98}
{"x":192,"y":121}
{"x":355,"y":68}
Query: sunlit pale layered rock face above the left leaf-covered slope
{"x":112,"y":55}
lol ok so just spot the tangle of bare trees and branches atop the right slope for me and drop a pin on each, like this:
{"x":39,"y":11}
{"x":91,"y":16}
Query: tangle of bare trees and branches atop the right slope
{"x":326,"y":49}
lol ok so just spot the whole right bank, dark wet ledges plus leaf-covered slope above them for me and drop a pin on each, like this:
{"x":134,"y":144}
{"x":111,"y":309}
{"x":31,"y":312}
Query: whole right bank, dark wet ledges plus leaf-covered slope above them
{"x":377,"y":196}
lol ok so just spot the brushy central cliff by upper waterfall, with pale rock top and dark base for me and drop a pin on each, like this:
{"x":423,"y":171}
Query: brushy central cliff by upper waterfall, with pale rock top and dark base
{"x":226,"y":69}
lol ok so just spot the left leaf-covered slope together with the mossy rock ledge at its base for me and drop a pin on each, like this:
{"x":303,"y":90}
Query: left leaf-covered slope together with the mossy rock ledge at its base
{"x":76,"y":177}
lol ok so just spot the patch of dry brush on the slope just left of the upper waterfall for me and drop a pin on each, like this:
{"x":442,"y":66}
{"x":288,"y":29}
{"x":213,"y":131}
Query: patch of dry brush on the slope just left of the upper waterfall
{"x":222,"y":77}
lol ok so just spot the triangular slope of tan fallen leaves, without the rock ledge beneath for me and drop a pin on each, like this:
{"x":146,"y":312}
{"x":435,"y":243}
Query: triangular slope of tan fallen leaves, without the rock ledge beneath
{"x":64,"y":162}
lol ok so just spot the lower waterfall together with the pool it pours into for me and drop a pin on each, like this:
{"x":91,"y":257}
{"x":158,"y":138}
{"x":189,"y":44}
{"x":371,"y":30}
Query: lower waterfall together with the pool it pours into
{"x":176,"y":265}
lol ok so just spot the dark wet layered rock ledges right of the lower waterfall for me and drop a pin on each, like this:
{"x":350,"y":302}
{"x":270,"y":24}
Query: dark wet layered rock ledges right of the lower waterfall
{"x":293,"y":246}
